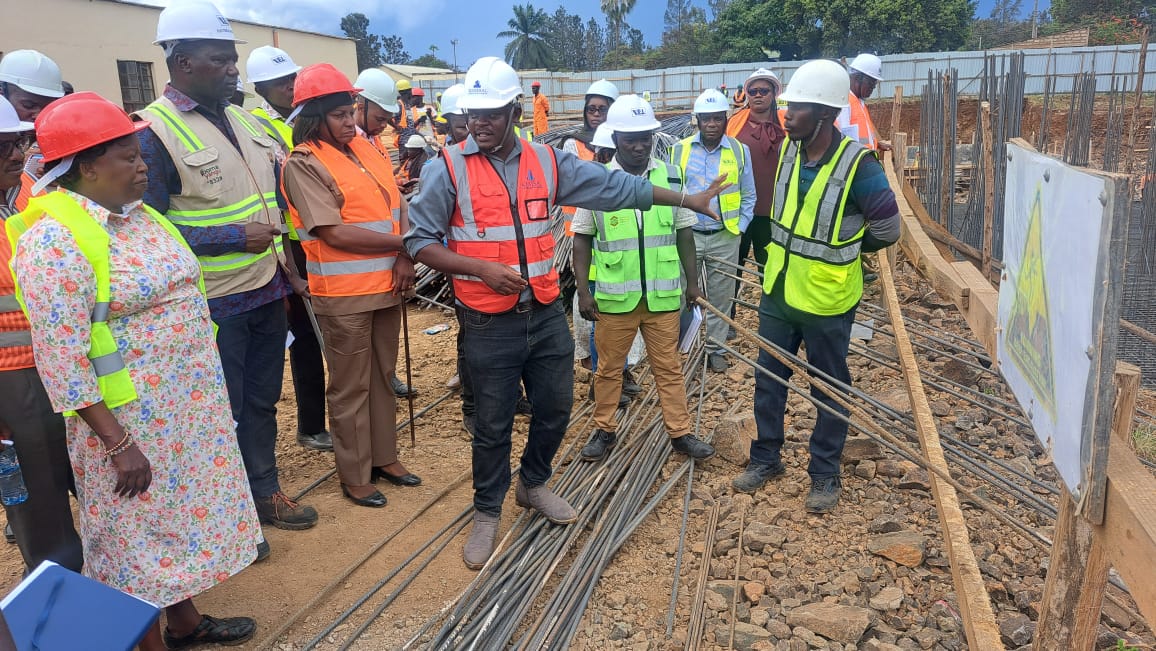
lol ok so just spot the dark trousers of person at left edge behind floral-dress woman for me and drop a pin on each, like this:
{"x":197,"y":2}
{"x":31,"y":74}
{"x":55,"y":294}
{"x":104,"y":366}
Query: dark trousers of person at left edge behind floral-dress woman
{"x":43,"y":524}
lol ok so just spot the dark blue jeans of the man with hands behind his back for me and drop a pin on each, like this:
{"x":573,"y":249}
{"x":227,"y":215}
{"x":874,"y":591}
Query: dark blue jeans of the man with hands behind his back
{"x":827,"y":339}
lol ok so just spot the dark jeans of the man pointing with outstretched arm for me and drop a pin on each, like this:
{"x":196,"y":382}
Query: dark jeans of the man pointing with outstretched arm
{"x":532,"y":347}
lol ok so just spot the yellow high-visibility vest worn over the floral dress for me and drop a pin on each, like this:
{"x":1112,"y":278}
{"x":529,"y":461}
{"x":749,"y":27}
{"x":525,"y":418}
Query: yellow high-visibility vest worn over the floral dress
{"x":113,"y":376}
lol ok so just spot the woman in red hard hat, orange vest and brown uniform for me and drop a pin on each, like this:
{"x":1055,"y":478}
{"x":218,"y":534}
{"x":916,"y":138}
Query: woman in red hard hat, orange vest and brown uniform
{"x":346,"y":206}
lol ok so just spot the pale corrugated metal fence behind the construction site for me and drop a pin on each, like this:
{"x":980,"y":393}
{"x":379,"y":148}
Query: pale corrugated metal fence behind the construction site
{"x":676,"y":88}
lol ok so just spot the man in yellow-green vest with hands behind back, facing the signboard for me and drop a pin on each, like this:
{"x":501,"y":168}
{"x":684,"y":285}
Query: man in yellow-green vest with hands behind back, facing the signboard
{"x":833,"y":203}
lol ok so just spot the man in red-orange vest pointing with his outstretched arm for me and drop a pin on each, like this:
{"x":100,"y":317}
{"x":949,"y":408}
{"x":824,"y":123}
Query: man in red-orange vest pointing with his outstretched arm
{"x":492,"y":201}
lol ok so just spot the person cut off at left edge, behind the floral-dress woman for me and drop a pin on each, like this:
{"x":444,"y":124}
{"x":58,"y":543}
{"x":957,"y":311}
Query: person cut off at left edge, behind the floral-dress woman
{"x":43,"y":524}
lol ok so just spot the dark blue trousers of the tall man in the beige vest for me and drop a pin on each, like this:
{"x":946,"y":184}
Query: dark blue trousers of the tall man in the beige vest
{"x":253,"y":354}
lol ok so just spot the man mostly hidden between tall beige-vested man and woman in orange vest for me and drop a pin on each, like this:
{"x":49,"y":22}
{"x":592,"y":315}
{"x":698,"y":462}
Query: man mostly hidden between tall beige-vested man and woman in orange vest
{"x":273,"y":72}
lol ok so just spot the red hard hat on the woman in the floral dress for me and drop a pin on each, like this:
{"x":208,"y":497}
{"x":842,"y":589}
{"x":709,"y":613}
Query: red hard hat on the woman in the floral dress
{"x":81,"y":121}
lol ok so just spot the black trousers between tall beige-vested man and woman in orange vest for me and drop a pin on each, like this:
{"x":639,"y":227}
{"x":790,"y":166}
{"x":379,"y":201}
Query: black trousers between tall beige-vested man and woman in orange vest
{"x":306,"y":361}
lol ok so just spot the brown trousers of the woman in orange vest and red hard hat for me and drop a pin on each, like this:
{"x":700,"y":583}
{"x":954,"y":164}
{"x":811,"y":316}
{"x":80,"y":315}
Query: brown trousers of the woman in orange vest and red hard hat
{"x":362,"y":352}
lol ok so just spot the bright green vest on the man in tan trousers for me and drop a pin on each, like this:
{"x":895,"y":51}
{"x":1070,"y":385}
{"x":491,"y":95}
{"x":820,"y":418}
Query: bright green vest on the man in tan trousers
{"x":634,"y":262}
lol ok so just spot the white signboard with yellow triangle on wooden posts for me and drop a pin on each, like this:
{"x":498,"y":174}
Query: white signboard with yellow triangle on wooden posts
{"x":1048,"y":337}
